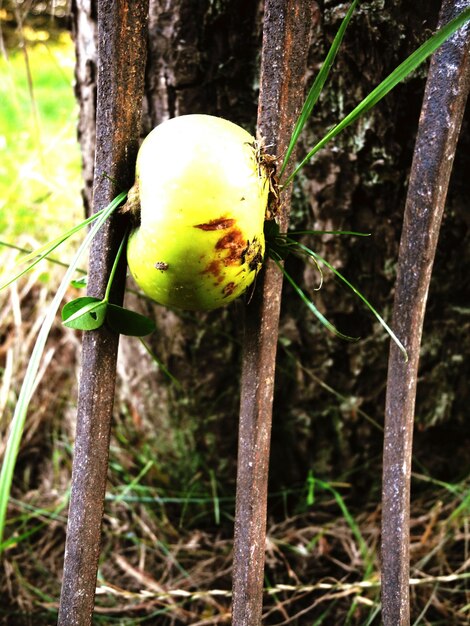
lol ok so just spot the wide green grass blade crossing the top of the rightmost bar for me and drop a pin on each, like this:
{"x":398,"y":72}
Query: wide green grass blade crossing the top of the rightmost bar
{"x":399,"y":74}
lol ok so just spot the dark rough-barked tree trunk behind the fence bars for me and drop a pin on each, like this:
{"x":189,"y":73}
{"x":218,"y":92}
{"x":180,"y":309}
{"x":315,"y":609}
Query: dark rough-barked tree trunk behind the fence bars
{"x":204,"y":57}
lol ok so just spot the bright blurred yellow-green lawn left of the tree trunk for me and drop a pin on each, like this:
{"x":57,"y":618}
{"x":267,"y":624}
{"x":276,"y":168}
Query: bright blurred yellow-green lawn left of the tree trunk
{"x":40,"y":176}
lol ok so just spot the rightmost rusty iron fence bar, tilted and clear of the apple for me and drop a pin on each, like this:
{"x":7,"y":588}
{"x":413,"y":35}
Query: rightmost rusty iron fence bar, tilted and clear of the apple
{"x":439,"y":126}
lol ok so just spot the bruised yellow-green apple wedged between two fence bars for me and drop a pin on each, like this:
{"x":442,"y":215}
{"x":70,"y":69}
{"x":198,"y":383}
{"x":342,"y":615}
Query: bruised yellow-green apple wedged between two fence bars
{"x":203,"y":197}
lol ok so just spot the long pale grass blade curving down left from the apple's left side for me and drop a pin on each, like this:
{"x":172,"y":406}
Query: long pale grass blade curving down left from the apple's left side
{"x":19,"y":416}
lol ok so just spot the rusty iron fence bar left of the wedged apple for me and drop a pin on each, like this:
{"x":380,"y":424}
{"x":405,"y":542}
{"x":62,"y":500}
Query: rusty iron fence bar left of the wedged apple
{"x":122,"y":53}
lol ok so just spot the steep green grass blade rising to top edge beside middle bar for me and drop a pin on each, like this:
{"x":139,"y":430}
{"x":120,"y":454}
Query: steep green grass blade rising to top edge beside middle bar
{"x":316,"y":88}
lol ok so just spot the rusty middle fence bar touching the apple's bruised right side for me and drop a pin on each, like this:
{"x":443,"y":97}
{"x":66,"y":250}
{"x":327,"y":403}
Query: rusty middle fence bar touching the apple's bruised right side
{"x":286,"y":32}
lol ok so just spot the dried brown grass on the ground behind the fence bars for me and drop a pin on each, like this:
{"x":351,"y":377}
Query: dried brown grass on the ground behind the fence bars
{"x":156,"y":568}
